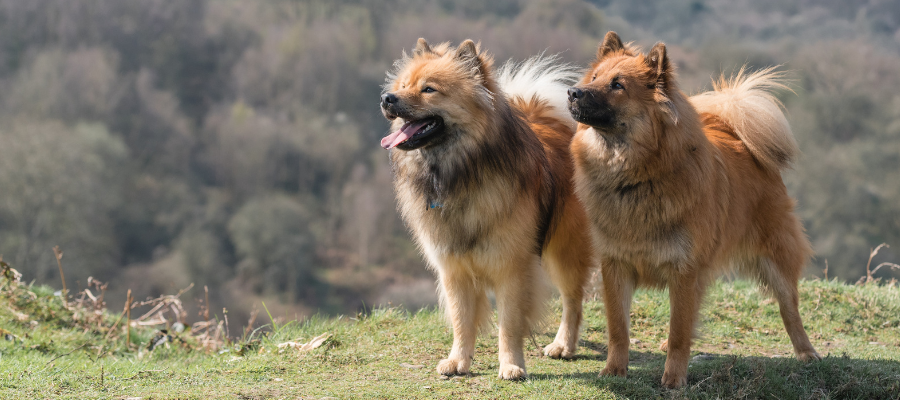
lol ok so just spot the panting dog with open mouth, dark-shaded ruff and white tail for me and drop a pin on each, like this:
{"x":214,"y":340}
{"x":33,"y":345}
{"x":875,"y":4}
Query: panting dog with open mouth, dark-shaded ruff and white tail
{"x":482,"y":175}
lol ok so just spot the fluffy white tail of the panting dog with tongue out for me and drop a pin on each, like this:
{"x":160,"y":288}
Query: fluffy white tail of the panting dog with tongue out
{"x":543,"y":78}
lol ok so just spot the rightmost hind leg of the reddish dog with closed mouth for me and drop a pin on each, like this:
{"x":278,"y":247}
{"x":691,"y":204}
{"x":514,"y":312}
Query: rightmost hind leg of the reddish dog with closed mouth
{"x":780,"y":274}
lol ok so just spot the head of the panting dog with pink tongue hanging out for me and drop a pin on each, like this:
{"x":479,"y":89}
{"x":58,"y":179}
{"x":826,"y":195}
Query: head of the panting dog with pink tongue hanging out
{"x":436,"y":93}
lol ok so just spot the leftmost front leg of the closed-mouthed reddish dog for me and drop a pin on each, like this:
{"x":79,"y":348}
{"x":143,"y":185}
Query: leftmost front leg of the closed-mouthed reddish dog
{"x":618,"y":288}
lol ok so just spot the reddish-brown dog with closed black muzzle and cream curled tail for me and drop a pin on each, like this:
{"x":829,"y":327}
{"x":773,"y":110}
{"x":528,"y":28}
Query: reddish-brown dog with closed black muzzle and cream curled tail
{"x":678,"y":189}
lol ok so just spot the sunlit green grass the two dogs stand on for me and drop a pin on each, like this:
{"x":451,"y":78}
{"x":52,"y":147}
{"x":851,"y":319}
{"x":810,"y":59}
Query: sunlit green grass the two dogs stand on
{"x":392,"y":353}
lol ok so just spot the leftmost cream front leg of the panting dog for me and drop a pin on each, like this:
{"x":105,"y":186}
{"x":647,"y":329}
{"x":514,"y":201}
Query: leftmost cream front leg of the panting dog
{"x":467,"y":308}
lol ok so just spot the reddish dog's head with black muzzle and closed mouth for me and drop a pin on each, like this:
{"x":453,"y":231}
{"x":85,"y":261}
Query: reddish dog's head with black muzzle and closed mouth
{"x":624,"y":90}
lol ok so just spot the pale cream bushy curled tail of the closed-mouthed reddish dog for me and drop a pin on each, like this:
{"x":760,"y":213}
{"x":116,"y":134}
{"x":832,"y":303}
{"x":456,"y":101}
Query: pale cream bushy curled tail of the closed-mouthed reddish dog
{"x":746,"y":102}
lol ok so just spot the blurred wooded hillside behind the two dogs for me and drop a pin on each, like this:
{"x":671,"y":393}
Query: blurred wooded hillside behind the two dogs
{"x":234,"y":143}
